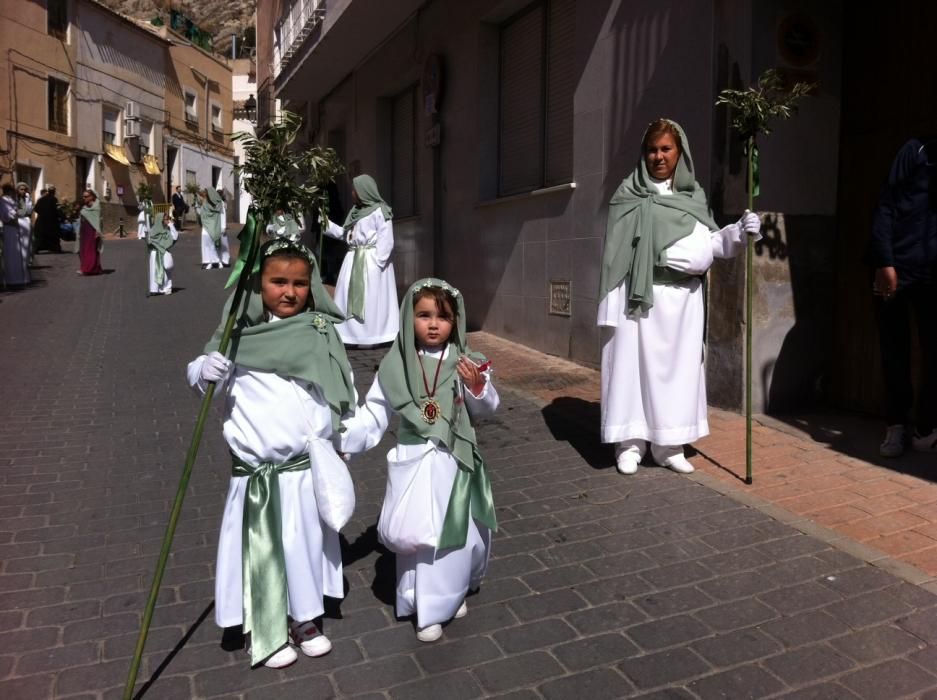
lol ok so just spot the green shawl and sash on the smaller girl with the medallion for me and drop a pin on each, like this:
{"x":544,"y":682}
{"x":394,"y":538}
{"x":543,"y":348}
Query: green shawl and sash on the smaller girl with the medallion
{"x":402,"y":380}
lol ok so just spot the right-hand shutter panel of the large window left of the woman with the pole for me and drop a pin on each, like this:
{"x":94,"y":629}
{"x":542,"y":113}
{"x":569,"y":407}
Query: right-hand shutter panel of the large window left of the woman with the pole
{"x":561,"y":84}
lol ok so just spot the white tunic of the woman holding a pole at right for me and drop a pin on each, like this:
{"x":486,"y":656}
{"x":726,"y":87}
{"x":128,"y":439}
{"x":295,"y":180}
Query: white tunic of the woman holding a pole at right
{"x":653,"y":377}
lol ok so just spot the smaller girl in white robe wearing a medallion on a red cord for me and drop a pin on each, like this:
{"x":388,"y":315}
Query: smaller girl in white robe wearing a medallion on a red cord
{"x":438,"y":512}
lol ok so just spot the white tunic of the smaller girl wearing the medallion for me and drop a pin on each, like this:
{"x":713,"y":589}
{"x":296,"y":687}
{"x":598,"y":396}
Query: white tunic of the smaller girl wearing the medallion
{"x":430,"y":583}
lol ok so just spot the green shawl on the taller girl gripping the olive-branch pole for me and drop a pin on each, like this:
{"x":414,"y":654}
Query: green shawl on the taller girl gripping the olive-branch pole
{"x":305,"y":346}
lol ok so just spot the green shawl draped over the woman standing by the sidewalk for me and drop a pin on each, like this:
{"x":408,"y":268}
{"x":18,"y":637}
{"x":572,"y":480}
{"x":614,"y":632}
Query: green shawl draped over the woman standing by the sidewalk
{"x":642,"y":224}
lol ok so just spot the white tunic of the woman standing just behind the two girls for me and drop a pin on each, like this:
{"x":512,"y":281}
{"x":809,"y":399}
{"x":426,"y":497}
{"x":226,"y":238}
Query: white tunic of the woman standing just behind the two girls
{"x":381,"y":310}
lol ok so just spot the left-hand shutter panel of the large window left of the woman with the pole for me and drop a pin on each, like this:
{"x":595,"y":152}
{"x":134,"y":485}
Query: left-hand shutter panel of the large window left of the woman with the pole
{"x":521,"y":104}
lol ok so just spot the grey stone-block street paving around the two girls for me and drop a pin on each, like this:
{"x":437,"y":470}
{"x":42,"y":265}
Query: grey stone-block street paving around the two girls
{"x":600,"y":586}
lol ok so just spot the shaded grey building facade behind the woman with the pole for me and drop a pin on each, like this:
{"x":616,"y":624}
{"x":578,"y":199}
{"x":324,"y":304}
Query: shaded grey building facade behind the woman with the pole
{"x":498,"y":130}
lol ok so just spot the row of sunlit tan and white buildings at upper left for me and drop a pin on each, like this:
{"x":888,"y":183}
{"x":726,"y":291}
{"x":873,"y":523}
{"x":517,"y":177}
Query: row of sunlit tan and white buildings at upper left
{"x":98,"y":99}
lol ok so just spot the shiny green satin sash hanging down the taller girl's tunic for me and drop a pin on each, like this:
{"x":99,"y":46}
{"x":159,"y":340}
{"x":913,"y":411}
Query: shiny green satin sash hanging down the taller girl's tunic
{"x":262,"y":559}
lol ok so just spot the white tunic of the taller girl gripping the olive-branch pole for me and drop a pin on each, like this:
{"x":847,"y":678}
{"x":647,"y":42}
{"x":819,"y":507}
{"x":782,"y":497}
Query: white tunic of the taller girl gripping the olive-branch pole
{"x":271,"y":419}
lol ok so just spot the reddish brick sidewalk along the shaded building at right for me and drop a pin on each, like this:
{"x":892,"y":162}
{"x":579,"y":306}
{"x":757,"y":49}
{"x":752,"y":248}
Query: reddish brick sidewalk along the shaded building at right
{"x":823,"y":470}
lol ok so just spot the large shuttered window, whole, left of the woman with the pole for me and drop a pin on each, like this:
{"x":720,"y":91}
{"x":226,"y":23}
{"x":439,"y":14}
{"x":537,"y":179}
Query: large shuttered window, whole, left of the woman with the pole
{"x":536,"y":84}
